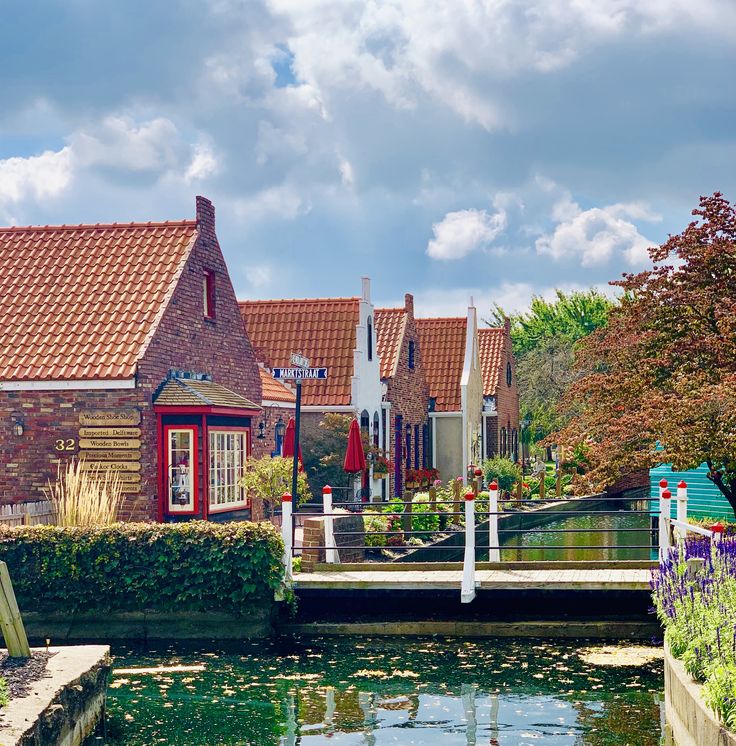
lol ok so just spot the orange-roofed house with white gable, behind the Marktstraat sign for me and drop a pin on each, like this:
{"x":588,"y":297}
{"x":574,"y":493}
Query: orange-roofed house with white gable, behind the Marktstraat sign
{"x":336,"y":333}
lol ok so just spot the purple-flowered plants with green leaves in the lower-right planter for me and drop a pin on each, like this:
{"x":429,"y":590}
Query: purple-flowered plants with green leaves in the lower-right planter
{"x":698,"y":611}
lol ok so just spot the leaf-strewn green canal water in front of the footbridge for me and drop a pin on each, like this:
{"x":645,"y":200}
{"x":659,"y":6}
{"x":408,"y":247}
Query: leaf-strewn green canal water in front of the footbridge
{"x":428,"y":692}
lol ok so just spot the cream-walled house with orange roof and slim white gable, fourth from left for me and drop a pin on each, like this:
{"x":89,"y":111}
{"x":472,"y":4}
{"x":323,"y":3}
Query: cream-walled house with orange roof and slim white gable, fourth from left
{"x":450,"y":356}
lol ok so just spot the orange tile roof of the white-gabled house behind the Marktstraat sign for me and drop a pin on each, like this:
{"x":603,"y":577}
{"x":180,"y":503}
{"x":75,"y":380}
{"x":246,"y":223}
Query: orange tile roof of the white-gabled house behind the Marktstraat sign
{"x":322,"y":329}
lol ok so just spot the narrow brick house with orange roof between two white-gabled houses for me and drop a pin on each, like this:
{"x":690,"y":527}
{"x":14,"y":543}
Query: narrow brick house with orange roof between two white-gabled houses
{"x":406,"y":393}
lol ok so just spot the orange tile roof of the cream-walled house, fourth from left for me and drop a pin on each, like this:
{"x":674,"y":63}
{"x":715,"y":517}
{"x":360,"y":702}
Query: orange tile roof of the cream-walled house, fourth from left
{"x":442,"y":342}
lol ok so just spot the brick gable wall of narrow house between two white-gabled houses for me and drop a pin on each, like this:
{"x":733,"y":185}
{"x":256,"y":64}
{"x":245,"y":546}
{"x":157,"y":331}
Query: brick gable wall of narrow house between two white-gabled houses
{"x":408,"y":392}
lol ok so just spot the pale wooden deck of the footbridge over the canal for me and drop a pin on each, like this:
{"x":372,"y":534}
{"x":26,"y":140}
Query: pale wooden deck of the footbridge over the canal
{"x":595,"y":579}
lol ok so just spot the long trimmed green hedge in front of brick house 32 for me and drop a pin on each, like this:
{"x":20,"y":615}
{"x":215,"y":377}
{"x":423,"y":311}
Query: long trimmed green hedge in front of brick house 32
{"x":193,"y":566}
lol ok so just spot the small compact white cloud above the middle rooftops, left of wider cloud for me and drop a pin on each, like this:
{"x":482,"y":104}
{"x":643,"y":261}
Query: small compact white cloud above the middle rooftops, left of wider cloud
{"x":462,"y":232}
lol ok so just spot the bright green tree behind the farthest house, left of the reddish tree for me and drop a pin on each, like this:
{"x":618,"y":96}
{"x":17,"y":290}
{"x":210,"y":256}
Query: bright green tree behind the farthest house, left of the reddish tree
{"x":544,"y":339}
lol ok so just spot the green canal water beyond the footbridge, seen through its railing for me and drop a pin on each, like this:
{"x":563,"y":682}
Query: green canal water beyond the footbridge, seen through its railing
{"x":608,"y":535}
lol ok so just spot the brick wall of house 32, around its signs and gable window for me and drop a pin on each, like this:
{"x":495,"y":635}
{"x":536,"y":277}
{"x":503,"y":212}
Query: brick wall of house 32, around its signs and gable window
{"x":184,"y":339}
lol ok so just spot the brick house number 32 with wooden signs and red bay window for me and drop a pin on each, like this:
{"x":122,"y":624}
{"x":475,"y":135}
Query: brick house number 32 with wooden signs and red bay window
{"x":123,"y":345}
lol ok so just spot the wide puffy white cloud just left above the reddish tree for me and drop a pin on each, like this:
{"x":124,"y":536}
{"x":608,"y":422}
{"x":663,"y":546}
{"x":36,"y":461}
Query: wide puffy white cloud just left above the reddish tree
{"x":597,"y":235}
